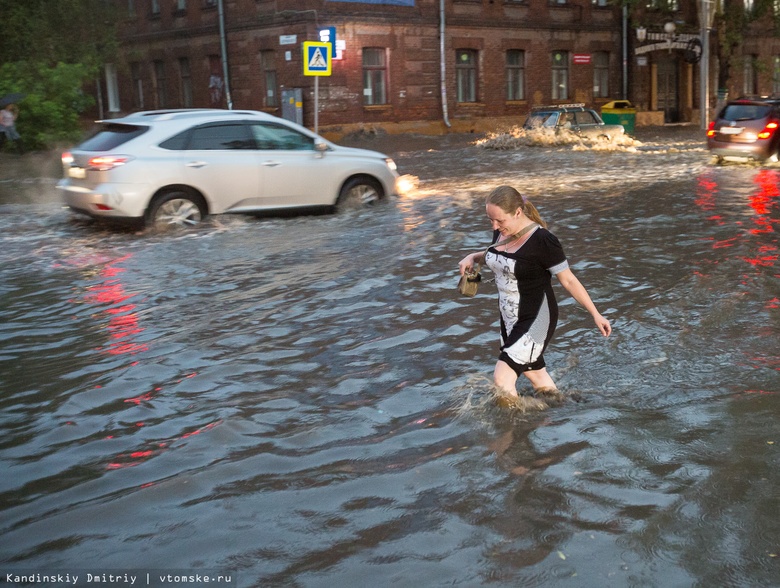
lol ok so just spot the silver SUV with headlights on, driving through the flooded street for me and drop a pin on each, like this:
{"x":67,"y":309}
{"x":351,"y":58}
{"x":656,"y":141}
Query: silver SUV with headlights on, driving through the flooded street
{"x":174,"y":167}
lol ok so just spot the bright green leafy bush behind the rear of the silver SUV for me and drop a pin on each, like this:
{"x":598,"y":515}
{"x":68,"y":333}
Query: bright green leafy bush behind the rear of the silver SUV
{"x":55,"y":99}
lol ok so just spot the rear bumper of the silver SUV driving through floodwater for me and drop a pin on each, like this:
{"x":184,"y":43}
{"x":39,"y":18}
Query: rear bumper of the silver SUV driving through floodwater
{"x":117,"y":201}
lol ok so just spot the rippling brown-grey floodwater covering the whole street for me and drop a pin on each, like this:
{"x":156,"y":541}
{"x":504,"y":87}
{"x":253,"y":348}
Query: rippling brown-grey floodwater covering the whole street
{"x":306,"y":401}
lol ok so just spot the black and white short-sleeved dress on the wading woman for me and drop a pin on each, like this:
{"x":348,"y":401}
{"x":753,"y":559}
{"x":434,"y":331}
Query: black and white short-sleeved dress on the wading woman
{"x":526,"y":301}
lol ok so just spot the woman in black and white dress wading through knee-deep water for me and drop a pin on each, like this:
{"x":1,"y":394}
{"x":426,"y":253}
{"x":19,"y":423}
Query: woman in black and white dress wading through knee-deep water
{"x":524,"y":256}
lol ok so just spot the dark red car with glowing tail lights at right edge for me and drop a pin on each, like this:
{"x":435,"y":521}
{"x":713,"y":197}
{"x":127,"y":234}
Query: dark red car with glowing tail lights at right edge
{"x":746,"y":128}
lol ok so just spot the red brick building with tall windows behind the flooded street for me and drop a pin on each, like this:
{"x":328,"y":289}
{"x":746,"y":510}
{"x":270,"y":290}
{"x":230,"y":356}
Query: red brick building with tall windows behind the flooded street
{"x":425,"y":65}
